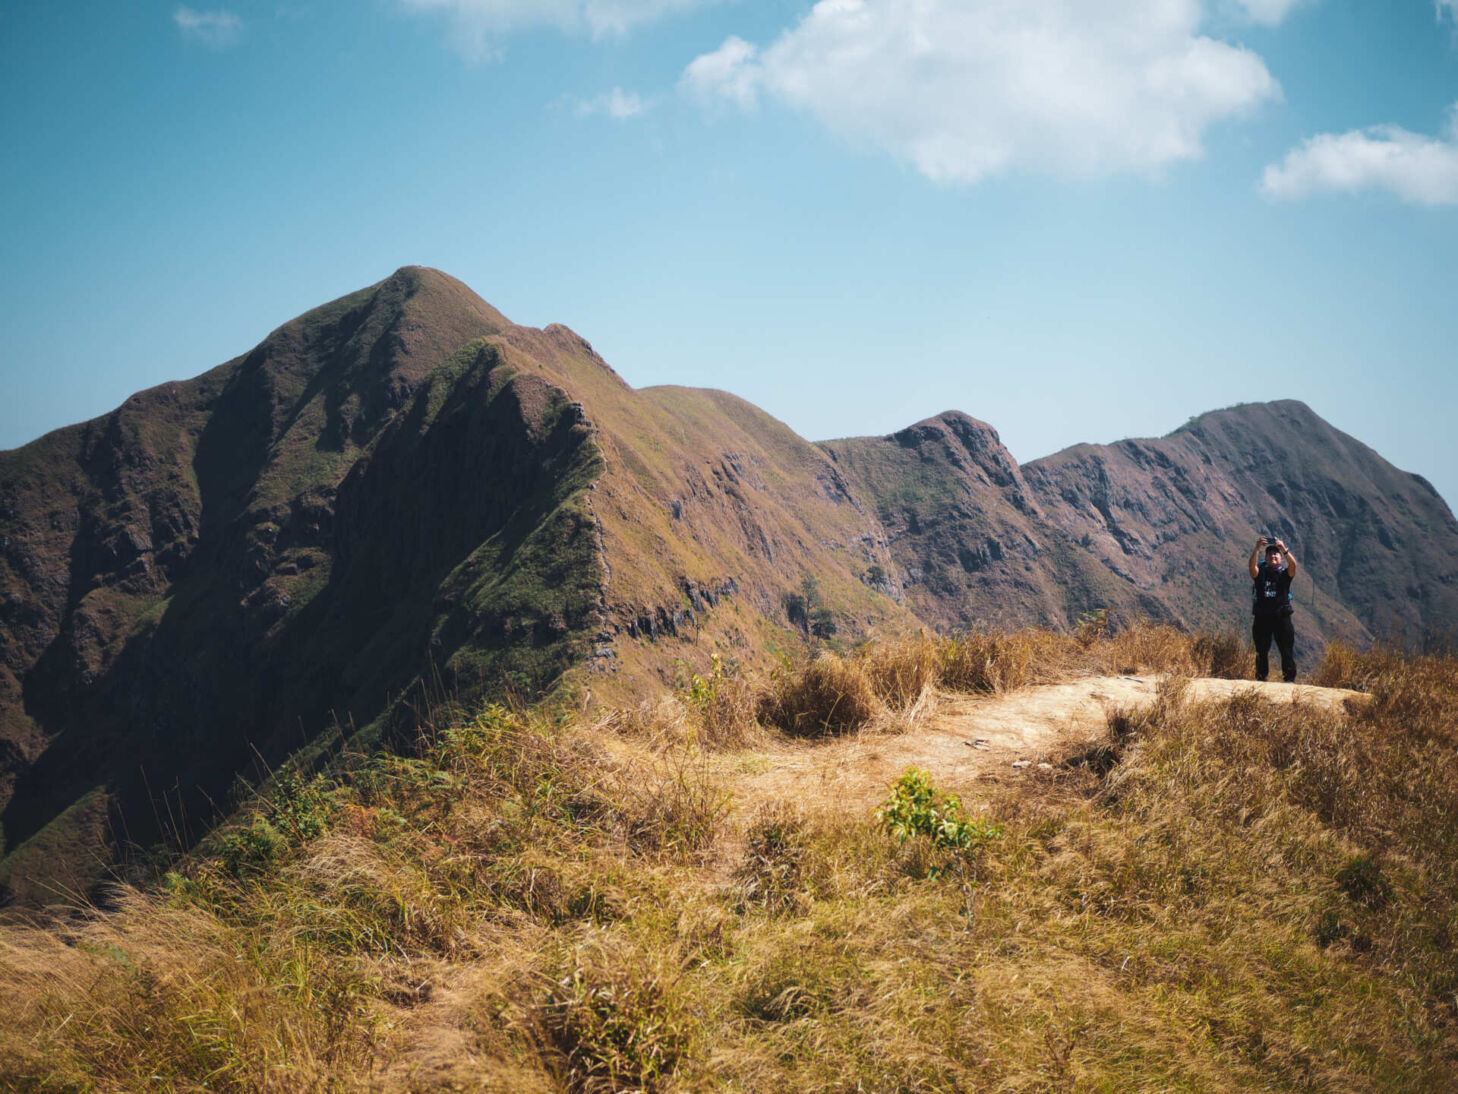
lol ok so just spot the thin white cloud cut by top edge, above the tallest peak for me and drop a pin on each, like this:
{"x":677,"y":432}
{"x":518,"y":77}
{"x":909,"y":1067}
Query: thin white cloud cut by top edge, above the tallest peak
{"x":479,"y":26}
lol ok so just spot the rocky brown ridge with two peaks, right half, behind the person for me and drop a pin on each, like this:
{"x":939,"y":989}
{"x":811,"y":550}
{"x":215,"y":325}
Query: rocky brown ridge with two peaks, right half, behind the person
{"x":1160,"y":529}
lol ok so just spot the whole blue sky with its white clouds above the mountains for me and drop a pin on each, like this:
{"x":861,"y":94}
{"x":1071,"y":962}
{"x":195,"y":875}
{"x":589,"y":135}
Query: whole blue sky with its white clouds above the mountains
{"x":1075,"y":220}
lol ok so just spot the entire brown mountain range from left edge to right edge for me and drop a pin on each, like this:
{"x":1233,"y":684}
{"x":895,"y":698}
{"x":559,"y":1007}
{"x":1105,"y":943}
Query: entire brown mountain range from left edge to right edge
{"x":403,"y":495}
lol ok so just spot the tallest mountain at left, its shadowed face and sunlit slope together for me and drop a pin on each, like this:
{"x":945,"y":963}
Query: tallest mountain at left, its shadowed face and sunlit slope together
{"x":394,"y":495}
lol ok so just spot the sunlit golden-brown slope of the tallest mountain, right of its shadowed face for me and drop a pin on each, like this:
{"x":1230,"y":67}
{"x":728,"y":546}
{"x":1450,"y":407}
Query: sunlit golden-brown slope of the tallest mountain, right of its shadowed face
{"x":712,"y":514}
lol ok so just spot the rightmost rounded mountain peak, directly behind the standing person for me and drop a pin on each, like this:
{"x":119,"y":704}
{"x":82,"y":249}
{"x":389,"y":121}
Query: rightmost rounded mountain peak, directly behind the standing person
{"x":1379,"y":545}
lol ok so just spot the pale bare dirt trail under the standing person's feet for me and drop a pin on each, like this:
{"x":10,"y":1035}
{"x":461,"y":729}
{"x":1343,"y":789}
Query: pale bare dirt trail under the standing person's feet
{"x":970,"y":739}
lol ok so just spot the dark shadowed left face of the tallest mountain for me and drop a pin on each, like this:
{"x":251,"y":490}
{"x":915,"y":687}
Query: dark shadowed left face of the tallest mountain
{"x":217,"y":571}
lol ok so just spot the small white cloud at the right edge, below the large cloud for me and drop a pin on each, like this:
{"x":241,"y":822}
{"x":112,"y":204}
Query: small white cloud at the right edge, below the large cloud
{"x":1415,"y":168}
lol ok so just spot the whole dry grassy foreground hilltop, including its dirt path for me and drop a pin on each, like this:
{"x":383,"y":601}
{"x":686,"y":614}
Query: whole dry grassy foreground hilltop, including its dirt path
{"x":1192,"y":886}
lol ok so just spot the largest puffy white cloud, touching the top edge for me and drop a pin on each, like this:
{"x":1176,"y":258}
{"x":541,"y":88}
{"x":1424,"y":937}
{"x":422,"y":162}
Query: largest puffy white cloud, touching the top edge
{"x":970,"y":88}
